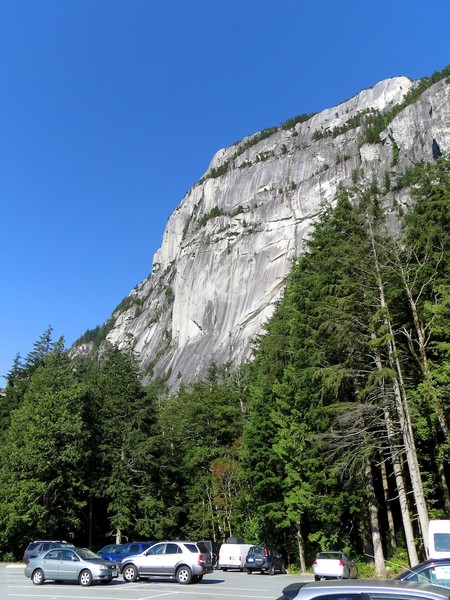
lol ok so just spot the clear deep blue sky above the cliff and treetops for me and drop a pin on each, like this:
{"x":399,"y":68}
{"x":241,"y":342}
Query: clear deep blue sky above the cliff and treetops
{"x":110,"y":110}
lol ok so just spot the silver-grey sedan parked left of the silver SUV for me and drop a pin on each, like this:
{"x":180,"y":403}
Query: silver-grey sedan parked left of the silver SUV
{"x":71,"y":564}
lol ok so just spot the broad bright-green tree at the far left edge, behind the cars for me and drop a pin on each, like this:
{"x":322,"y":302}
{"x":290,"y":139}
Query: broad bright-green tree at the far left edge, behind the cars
{"x":44,"y":455}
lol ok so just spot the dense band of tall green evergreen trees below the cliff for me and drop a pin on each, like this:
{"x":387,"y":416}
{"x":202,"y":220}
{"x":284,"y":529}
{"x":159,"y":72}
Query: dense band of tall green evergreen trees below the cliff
{"x":335,"y":435}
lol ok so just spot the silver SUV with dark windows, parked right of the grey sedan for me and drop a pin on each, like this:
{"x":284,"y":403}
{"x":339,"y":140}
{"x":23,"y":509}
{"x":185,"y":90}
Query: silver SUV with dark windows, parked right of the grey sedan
{"x":186,"y":562}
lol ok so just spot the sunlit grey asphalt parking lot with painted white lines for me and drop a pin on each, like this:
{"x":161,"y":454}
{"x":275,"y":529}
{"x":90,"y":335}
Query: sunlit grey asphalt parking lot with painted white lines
{"x":219,"y":585}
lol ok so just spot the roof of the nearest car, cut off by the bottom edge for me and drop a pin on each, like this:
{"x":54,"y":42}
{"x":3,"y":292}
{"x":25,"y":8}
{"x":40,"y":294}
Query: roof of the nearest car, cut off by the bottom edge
{"x":364,"y":590}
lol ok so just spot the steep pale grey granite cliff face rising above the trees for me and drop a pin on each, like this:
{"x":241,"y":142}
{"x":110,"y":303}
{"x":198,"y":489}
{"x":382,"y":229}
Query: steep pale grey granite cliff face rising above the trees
{"x":230,"y":243}
